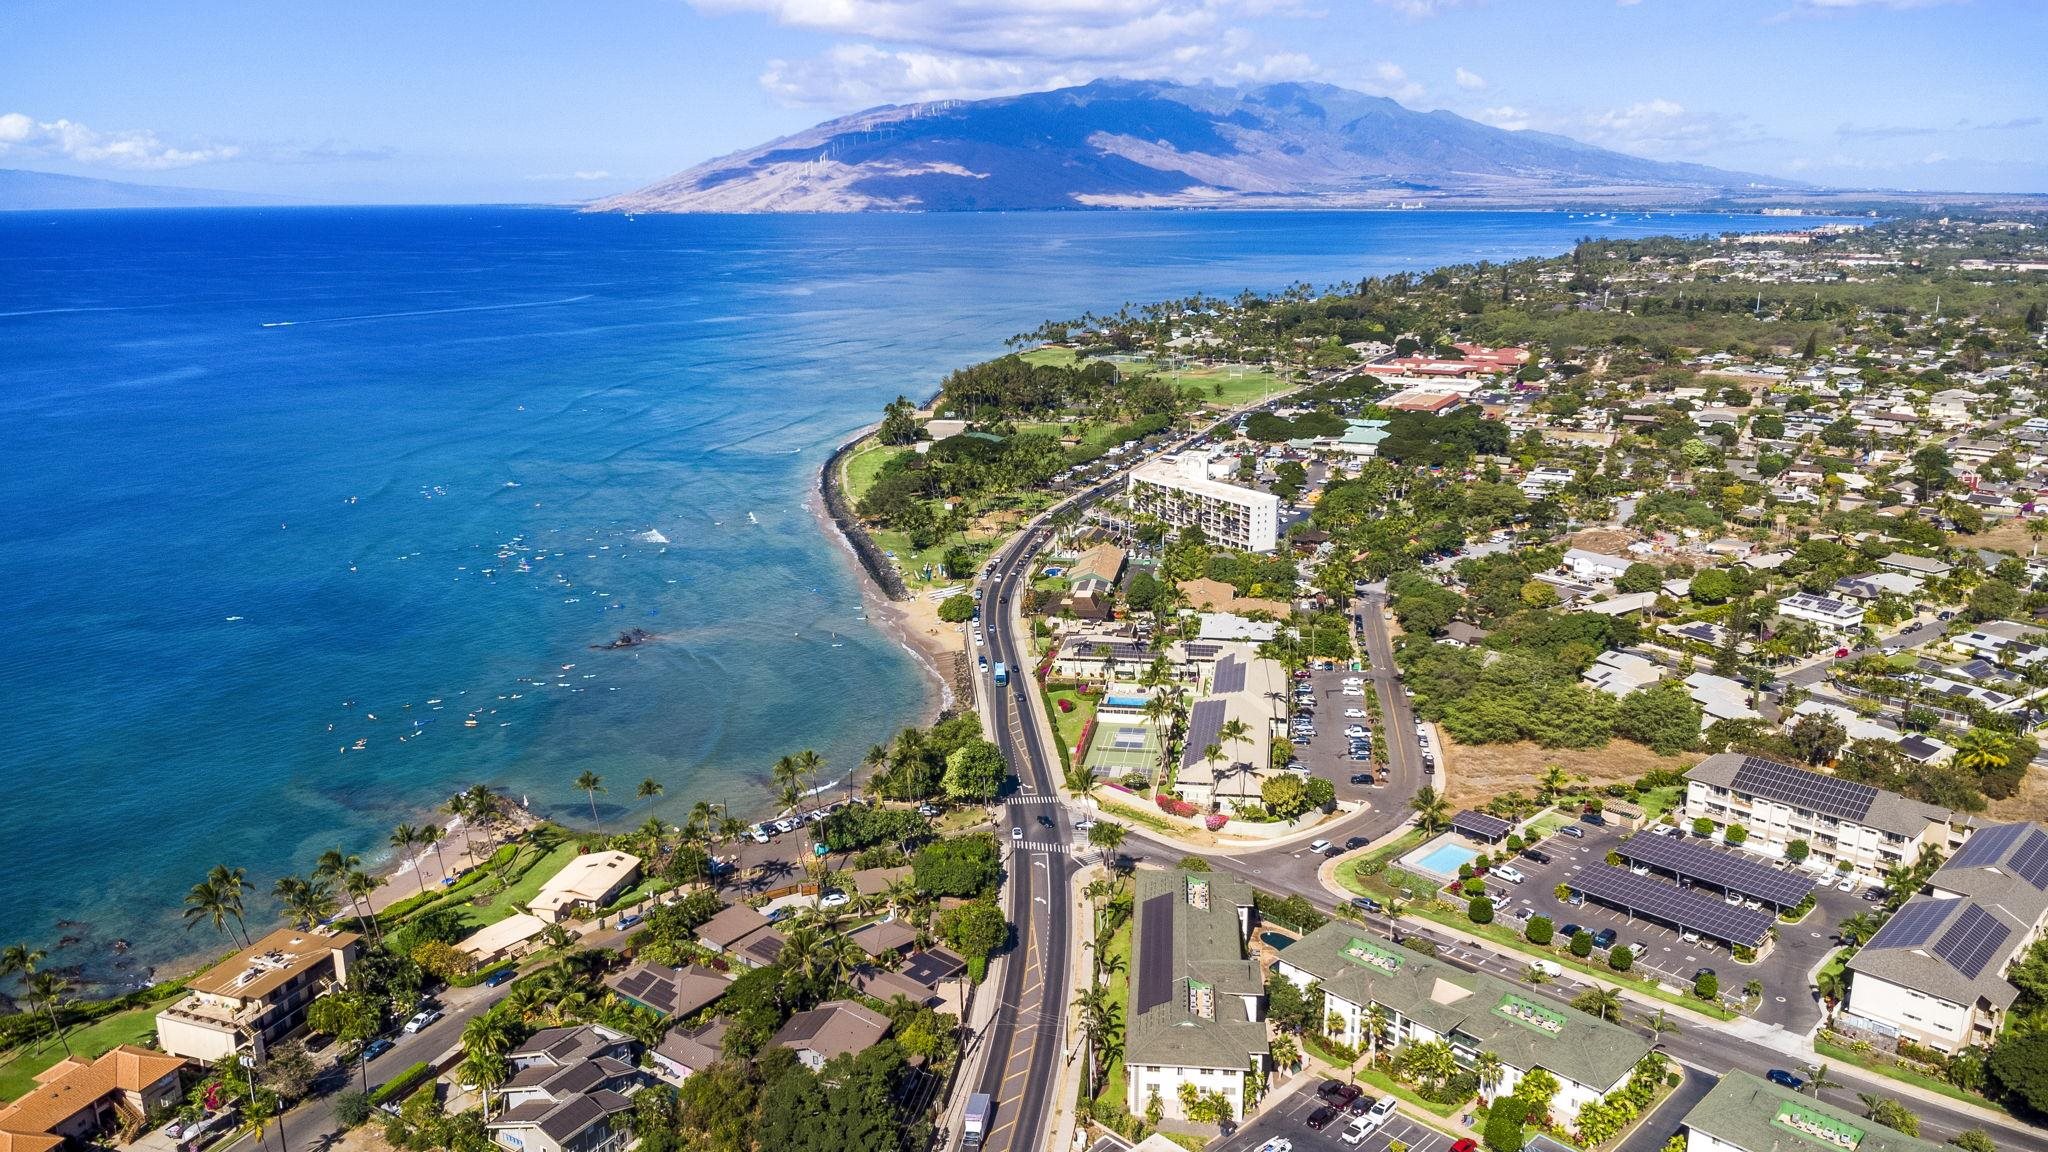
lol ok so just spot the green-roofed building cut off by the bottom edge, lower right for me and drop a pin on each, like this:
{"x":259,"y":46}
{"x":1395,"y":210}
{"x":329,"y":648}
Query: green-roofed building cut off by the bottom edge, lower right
{"x":1748,"y":1114}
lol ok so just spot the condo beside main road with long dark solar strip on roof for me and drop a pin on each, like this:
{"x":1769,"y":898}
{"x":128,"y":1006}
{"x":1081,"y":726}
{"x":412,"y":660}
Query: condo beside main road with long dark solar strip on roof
{"x":1197,"y":999}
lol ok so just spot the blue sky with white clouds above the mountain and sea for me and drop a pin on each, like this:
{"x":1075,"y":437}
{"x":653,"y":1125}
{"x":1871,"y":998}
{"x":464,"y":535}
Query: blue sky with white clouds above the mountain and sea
{"x":468,"y":101}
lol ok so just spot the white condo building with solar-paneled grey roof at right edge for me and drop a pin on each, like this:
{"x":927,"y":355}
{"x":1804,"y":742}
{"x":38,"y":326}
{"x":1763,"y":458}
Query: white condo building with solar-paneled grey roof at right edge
{"x":1936,"y":971}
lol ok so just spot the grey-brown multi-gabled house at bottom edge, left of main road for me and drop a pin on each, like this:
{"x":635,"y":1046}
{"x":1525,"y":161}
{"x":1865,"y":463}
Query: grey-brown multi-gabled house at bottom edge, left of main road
{"x":568,"y":1089}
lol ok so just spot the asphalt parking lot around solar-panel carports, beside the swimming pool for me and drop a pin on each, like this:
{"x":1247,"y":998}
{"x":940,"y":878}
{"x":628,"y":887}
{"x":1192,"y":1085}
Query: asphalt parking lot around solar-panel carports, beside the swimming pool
{"x":1783,"y":971}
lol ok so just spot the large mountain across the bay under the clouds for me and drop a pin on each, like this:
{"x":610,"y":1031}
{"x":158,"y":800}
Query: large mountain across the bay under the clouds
{"x":1162,"y":145}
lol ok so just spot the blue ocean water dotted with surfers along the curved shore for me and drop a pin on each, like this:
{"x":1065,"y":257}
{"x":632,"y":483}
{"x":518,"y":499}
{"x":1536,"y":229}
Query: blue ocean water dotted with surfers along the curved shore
{"x":271,"y":472}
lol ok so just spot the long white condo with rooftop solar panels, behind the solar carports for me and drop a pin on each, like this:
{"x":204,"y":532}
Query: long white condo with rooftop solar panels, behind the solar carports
{"x":1842,"y":823}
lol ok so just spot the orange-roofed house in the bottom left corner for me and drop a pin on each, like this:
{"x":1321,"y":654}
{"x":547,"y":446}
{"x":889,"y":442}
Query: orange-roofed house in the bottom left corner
{"x":79,"y":1104}
